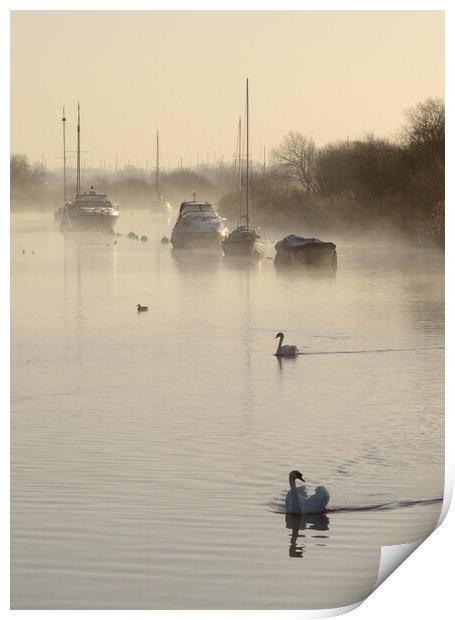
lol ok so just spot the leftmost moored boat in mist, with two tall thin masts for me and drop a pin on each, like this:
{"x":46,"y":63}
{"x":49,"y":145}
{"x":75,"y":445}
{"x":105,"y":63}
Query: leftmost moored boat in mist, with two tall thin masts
{"x":90,"y":210}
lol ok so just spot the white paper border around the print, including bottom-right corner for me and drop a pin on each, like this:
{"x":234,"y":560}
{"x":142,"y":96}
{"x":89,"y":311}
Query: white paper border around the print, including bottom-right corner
{"x":420,"y":588}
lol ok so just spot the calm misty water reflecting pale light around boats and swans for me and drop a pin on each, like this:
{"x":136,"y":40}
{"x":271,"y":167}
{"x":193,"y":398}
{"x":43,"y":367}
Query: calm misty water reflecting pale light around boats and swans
{"x":150,"y":452}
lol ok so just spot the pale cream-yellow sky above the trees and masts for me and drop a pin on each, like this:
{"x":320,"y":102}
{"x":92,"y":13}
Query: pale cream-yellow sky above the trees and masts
{"x":328,"y":74}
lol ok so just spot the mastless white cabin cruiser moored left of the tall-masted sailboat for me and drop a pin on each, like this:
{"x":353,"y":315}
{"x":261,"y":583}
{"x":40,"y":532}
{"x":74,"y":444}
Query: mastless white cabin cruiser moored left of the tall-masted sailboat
{"x":198,"y":226}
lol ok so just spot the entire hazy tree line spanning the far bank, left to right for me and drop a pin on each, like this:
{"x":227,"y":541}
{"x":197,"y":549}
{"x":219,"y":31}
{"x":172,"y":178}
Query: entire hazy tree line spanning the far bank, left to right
{"x":352,"y":184}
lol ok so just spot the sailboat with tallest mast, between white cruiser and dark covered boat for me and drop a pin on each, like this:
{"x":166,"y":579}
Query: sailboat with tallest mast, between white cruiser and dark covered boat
{"x":244,"y":240}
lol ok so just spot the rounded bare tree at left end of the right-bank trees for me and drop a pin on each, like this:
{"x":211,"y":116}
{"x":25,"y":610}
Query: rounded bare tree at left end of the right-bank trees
{"x":298,"y":153}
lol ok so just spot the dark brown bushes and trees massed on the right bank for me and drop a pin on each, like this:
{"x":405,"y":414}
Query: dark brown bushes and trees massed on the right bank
{"x":401,"y":180}
